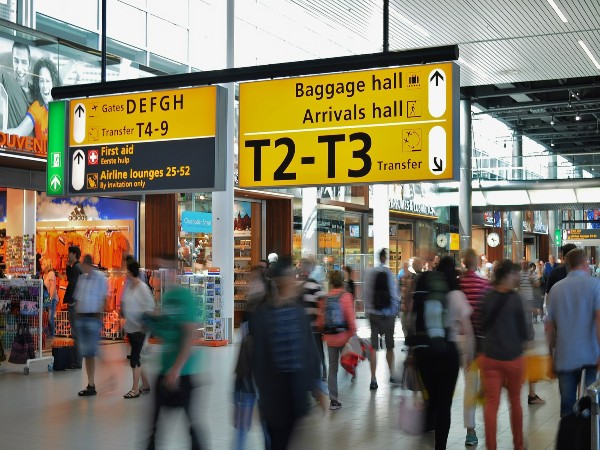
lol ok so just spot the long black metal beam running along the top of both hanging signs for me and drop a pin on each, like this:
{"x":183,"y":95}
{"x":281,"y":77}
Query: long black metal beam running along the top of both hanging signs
{"x":269,"y":71}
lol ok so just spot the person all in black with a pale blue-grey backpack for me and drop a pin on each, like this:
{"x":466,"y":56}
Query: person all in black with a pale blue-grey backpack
{"x":441,"y":313}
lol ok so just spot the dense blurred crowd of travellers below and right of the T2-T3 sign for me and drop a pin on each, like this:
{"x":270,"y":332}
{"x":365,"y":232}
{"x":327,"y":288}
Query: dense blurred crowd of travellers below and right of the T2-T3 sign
{"x":468,"y":315}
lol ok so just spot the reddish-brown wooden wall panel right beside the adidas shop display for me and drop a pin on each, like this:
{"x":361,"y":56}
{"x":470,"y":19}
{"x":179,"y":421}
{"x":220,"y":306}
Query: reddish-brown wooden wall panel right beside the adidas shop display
{"x":161,"y":227}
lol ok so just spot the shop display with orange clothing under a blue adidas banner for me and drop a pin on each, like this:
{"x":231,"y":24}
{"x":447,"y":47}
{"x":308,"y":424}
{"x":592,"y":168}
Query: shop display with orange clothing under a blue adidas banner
{"x":36,"y":232}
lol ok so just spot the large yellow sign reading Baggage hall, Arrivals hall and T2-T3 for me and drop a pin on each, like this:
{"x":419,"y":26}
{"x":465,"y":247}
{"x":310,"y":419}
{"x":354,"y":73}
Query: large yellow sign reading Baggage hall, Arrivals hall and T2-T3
{"x":376,"y":126}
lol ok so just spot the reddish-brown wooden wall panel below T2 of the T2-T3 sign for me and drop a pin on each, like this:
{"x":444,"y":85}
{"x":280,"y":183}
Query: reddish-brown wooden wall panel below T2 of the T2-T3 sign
{"x":279,"y":227}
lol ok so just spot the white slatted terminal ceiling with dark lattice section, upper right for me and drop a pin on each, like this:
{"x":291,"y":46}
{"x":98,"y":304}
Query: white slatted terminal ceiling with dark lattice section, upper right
{"x":535,"y":64}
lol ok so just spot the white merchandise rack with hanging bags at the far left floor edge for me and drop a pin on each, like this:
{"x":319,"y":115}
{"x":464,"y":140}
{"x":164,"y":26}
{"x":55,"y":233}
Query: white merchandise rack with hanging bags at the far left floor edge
{"x":21,"y":302}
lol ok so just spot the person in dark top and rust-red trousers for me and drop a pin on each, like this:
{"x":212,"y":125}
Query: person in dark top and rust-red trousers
{"x":502,"y":363}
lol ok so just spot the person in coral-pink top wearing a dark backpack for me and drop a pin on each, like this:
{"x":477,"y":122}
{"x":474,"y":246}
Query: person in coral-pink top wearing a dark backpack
{"x":336,"y":337}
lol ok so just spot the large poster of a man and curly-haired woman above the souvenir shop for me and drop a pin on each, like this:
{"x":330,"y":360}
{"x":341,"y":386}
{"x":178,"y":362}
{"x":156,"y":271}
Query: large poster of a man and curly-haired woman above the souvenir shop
{"x":29,"y":69}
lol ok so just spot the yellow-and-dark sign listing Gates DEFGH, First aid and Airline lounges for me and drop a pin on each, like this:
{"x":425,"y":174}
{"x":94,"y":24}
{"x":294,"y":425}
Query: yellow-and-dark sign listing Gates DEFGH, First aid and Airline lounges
{"x":166,"y":141}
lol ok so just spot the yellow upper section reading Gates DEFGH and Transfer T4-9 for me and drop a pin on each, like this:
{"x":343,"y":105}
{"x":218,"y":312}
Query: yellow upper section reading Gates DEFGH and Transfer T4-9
{"x":143,"y":117}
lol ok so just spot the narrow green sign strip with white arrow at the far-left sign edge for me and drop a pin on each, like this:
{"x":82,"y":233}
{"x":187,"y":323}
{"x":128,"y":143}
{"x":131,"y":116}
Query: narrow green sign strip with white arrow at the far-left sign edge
{"x":57,"y":132}
